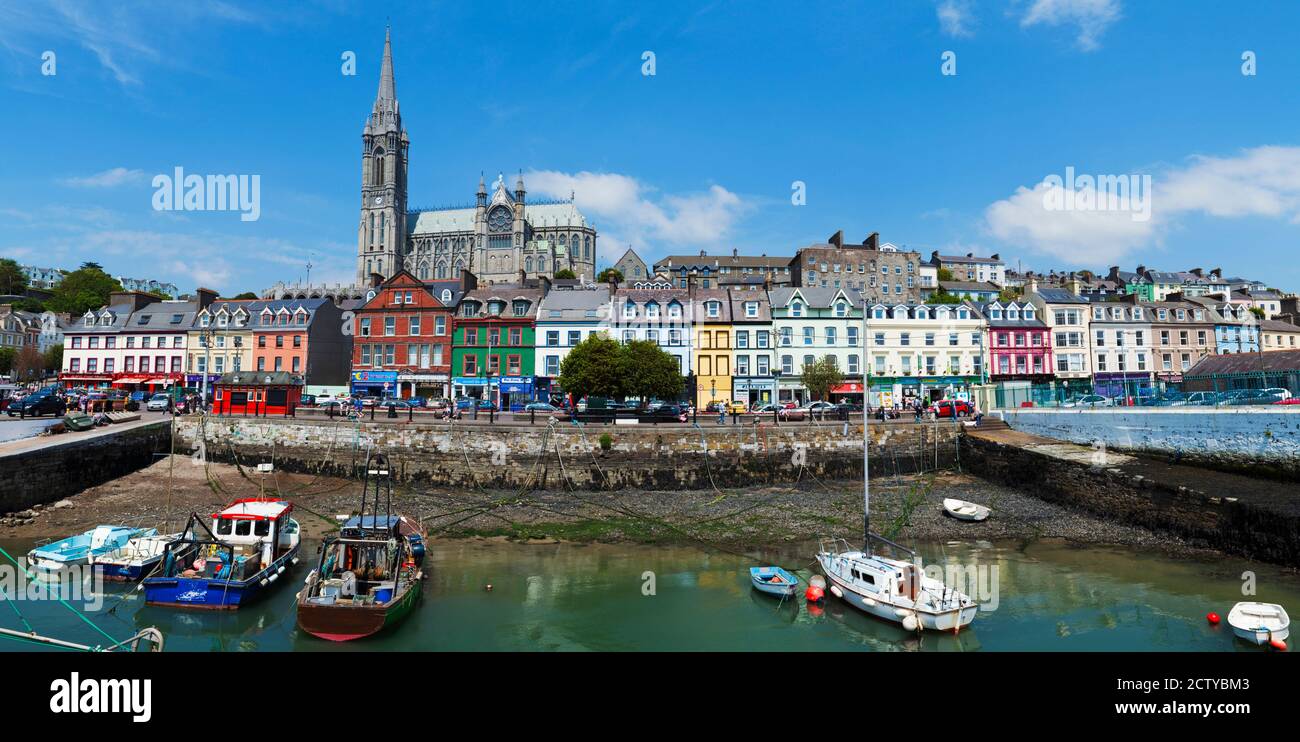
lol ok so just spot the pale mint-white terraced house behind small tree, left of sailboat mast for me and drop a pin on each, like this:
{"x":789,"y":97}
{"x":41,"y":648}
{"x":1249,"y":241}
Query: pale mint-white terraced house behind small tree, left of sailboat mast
{"x":811,"y":323}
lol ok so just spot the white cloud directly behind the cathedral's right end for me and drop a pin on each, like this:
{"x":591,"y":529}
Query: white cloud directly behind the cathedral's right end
{"x":630,"y":212}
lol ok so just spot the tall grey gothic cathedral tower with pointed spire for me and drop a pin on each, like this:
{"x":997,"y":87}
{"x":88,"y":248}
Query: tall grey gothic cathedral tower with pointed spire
{"x":385,"y":146}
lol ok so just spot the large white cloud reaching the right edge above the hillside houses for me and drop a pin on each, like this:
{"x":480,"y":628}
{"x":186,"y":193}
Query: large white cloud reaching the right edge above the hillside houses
{"x":1260,"y":183}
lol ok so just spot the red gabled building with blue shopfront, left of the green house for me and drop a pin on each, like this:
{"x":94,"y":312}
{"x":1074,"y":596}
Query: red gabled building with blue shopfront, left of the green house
{"x":402,"y":339}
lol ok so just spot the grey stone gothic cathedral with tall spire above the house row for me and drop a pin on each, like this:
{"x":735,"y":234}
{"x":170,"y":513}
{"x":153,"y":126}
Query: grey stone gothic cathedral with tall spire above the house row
{"x":496,"y":240}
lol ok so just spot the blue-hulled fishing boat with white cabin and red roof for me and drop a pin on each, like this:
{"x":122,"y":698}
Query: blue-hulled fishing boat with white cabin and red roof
{"x":236,"y":561}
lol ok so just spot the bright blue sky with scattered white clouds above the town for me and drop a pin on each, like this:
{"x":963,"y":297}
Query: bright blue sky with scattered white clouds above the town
{"x":747,"y":99}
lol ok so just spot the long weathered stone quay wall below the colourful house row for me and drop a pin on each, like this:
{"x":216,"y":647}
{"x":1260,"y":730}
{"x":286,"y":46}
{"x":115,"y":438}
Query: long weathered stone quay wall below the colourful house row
{"x":569,"y":457}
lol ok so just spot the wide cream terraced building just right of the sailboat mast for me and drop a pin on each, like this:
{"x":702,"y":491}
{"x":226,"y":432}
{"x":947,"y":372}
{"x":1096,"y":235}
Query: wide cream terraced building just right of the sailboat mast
{"x":924,"y":353}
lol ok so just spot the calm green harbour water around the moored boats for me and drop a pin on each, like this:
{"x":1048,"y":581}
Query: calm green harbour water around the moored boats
{"x":1051,"y":597}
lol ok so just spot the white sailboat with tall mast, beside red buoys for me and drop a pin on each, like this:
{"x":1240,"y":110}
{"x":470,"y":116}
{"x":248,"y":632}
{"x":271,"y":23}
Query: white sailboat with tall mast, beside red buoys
{"x":886,"y":588}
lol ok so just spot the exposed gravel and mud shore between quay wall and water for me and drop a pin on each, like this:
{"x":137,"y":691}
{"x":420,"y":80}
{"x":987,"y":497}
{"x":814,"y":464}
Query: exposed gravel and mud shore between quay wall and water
{"x":905,"y":509}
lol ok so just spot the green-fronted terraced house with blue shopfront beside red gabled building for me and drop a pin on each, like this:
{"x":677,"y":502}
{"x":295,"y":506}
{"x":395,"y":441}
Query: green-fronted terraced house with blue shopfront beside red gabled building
{"x":495,"y":344}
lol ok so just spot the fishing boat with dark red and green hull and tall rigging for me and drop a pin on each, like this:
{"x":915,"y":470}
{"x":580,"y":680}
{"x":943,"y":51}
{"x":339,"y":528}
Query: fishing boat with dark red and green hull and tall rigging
{"x":369,"y":578}
